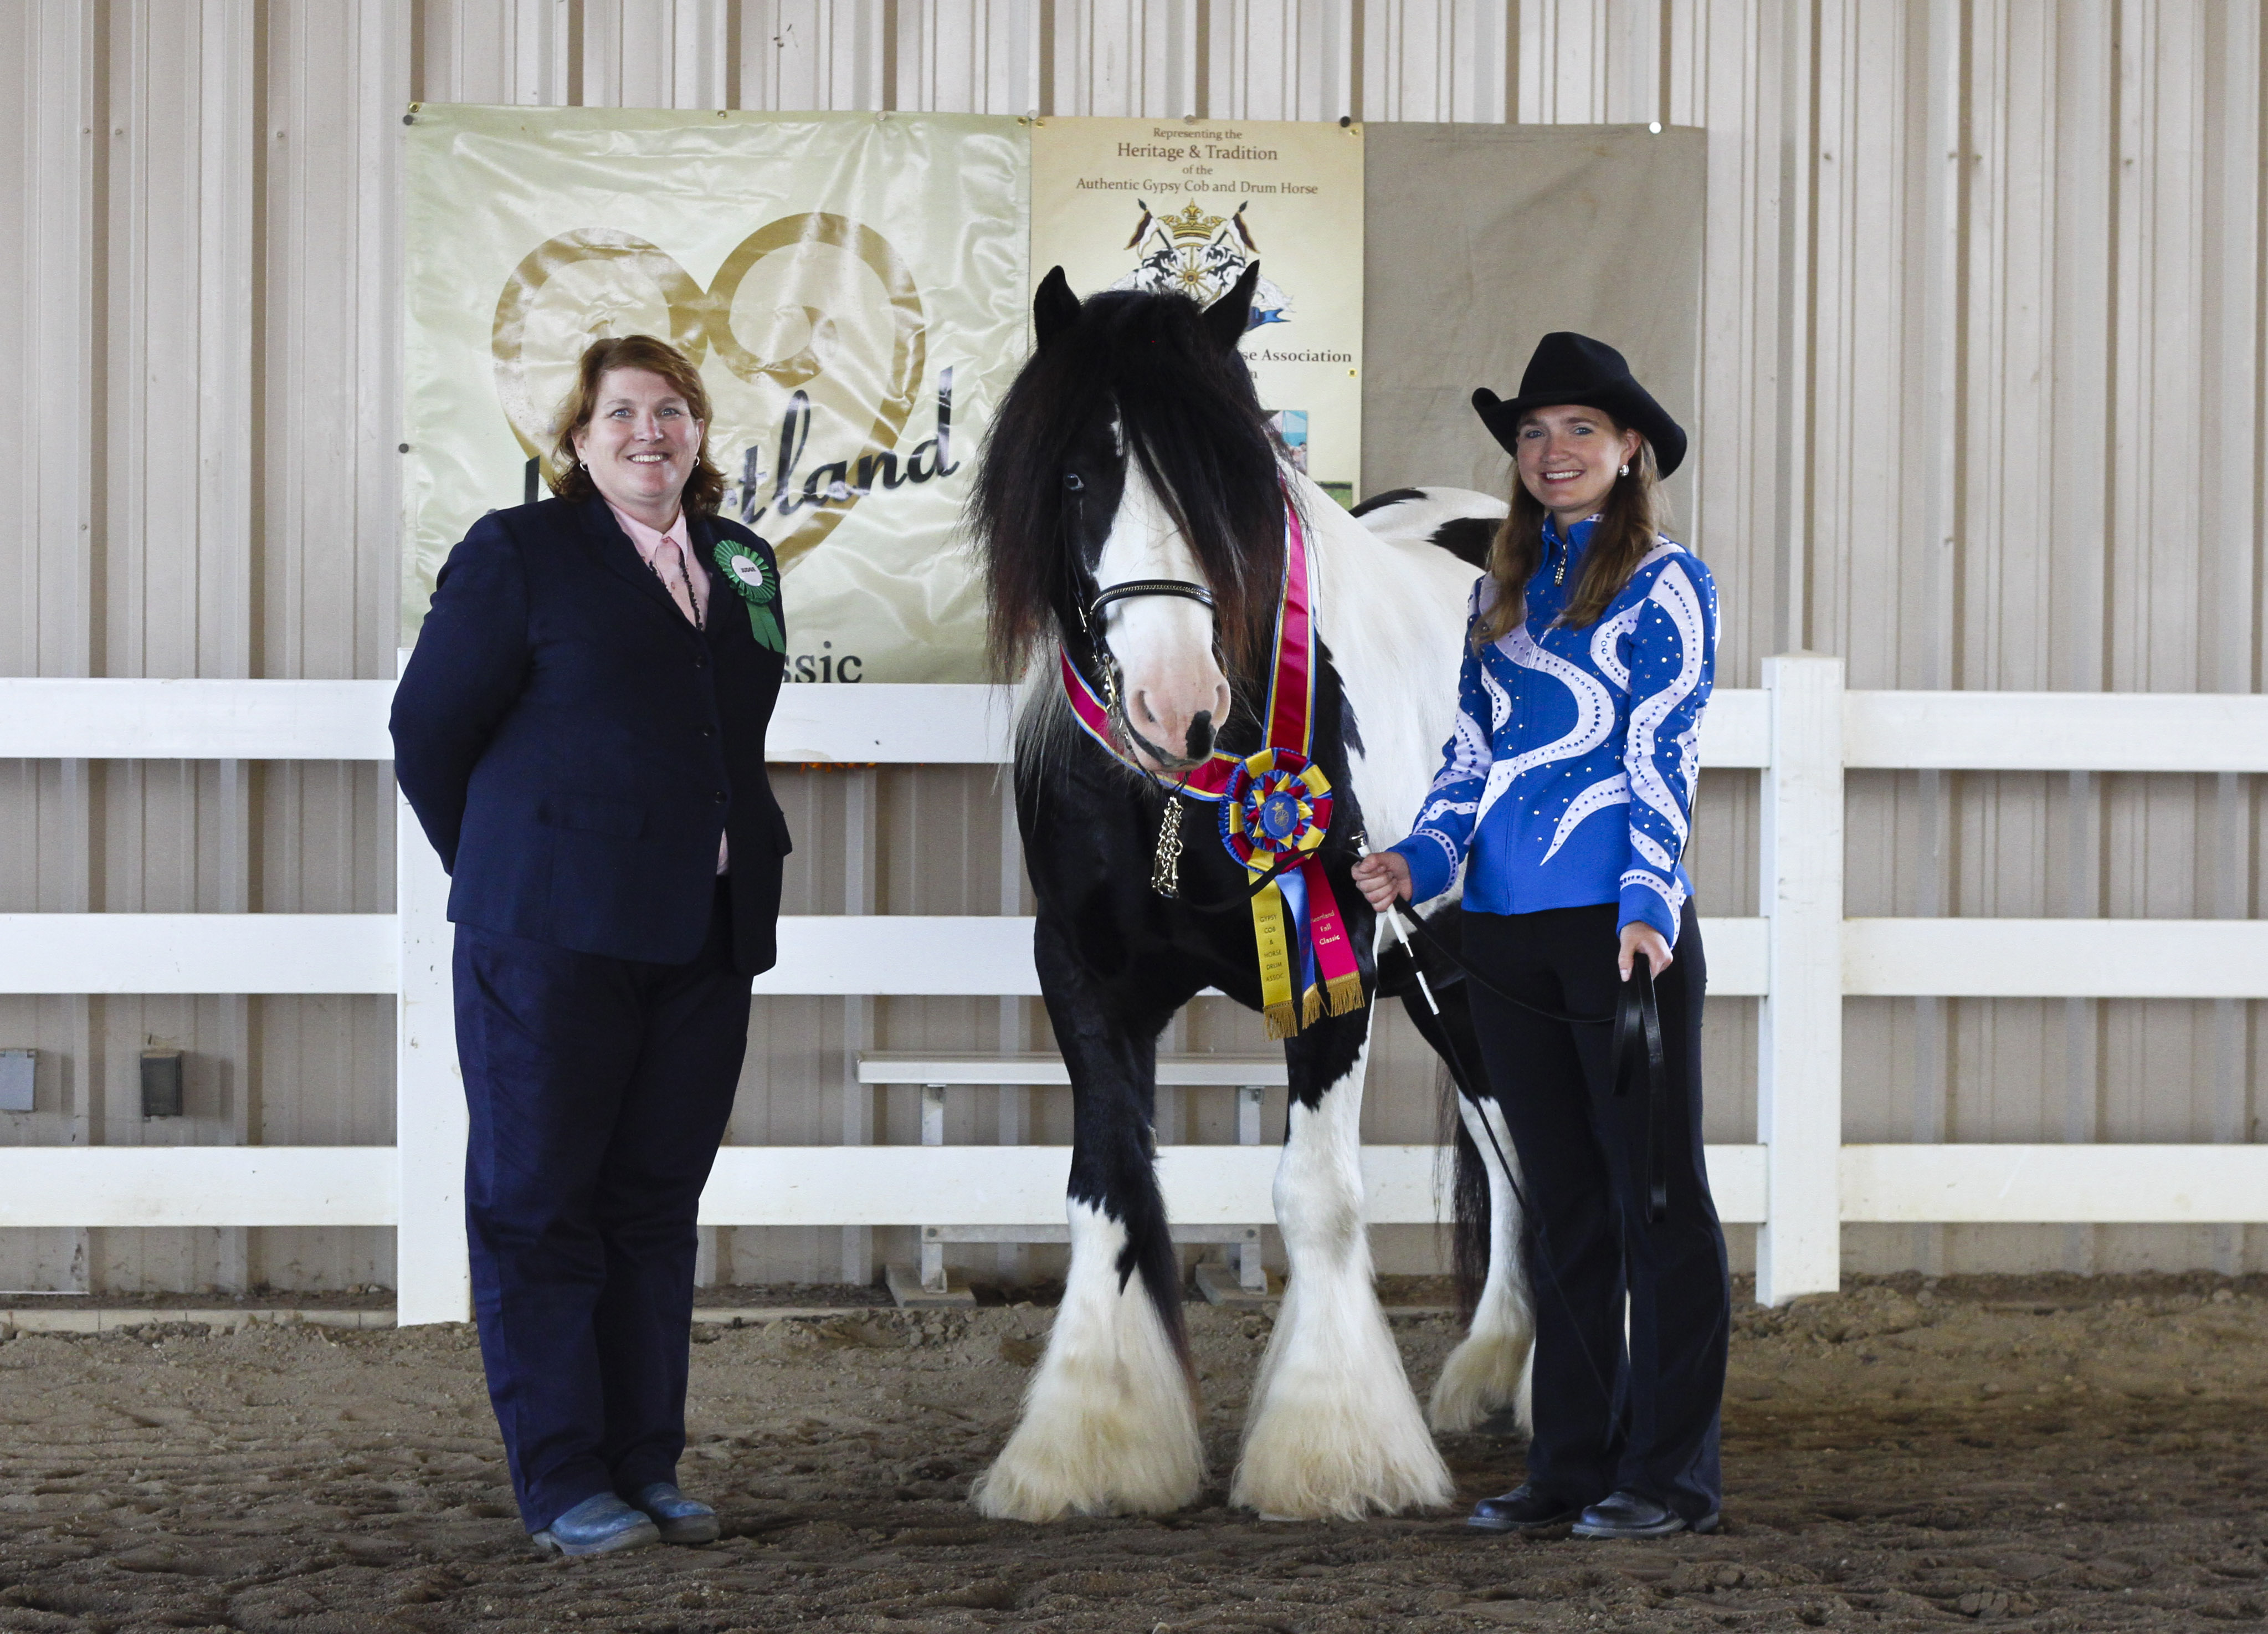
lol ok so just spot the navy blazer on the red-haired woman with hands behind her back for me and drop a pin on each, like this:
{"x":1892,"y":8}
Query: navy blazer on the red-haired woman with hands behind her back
{"x":573,"y":746}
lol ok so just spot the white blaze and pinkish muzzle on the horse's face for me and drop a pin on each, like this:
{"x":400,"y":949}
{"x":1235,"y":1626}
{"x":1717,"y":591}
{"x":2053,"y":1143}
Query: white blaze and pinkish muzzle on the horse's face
{"x":1162,"y":643}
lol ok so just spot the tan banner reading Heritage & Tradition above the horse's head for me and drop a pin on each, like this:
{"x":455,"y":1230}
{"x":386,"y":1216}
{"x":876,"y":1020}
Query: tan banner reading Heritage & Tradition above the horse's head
{"x":1183,"y":205}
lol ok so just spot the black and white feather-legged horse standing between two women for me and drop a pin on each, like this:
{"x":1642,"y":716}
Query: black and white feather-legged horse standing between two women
{"x":1133,"y":455}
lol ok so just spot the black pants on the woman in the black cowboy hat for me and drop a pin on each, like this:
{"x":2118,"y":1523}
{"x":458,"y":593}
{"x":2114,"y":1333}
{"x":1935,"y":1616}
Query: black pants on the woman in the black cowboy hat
{"x":1609,"y":1415}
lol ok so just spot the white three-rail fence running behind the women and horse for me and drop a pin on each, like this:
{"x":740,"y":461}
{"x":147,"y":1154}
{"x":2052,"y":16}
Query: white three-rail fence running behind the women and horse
{"x":1800,"y":1184}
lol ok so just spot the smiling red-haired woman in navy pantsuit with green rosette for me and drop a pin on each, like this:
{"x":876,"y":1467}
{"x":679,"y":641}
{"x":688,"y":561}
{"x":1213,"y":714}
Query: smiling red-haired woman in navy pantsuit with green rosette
{"x":582,"y":736}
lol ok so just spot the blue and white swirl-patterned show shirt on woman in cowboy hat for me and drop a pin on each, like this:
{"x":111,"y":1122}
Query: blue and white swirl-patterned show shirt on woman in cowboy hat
{"x":1571,"y":775}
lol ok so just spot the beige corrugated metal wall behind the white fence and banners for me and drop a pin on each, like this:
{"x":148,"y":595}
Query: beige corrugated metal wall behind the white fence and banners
{"x":1981,"y":407}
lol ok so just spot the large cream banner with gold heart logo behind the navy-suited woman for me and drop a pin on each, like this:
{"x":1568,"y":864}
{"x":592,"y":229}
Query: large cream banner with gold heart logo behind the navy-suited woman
{"x":854,"y":289}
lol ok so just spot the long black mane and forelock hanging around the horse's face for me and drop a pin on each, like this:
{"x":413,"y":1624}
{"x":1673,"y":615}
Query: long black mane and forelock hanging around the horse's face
{"x":1196,"y":428}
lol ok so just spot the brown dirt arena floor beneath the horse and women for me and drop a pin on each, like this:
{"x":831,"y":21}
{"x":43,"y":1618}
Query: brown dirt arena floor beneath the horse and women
{"x":2033,"y":1454}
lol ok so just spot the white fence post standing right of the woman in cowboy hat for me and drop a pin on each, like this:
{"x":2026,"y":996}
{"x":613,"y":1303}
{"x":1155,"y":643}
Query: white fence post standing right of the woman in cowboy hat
{"x":1800,"y":1070}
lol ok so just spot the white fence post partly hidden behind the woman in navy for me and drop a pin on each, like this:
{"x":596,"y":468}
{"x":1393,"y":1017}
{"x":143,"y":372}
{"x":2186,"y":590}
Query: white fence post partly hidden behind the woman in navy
{"x":432,"y":1270}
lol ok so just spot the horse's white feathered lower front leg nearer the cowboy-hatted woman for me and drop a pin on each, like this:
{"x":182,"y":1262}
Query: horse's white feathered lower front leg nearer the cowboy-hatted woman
{"x":1335,"y":1429}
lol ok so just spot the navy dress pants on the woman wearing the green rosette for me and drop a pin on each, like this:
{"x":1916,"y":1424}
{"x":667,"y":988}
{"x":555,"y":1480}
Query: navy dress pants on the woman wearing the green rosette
{"x":600,"y":1090}
